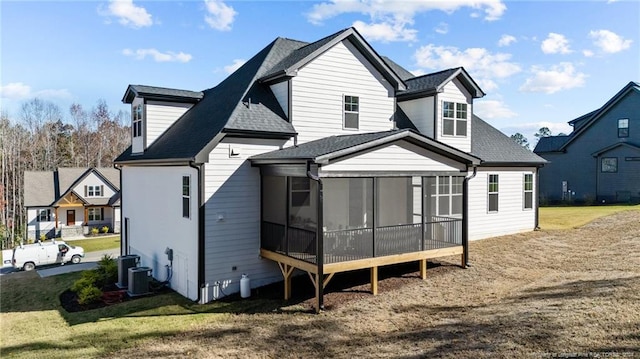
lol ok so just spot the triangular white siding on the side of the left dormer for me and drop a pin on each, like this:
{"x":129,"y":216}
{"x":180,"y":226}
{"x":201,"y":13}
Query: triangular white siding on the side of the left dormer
{"x":160,"y":115}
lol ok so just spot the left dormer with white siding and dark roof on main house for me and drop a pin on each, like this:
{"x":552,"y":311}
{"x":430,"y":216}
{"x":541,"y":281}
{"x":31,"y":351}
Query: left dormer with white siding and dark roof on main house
{"x":153,"y":110}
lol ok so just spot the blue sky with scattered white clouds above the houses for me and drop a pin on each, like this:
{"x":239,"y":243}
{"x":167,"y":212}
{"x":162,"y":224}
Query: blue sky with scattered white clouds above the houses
{"x":541,"y":63}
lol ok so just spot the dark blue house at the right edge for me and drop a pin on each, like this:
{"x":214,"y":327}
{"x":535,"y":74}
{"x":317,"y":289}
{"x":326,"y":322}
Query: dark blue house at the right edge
{"x":600,"y":160}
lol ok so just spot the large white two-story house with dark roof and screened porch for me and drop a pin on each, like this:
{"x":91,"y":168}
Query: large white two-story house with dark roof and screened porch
{"x":321,"y":156}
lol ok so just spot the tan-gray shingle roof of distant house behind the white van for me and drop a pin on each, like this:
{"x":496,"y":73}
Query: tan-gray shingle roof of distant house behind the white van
{"x":43,"y":188}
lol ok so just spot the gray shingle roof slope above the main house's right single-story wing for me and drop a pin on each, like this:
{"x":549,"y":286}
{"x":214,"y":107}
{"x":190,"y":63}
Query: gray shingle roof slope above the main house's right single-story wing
{"x":494,"y":147}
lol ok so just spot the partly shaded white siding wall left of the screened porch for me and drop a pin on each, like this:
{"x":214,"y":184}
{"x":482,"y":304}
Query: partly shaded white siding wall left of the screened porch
{"x":232,"y":217}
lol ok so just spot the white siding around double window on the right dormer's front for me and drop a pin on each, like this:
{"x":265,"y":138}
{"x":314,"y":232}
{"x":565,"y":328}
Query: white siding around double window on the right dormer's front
{"x":455,"y":92}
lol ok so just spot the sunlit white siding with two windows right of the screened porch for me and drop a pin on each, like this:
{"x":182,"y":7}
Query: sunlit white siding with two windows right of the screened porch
{"x":510,"y":218}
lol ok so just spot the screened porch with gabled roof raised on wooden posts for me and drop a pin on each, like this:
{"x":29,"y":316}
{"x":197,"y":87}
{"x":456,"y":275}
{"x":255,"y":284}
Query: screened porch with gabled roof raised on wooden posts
{"x":352,"y":202}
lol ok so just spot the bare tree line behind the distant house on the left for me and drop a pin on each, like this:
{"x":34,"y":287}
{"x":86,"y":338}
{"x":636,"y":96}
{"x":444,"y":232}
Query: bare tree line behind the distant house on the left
{"x":41,"y":137}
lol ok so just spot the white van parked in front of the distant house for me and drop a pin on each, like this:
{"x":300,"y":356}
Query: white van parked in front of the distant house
{"x":29,"y":256}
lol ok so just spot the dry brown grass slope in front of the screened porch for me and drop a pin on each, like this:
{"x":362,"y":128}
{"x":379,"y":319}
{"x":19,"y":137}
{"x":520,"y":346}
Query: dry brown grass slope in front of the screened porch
{"x":539,"y":294}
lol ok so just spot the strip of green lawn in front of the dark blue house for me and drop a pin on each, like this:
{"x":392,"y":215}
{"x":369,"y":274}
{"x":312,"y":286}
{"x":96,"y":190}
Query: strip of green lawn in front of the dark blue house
{"x":572,"y":217}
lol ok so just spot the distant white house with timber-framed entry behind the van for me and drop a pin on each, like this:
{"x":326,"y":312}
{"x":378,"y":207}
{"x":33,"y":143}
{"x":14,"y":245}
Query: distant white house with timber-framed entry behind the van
{"x":68,"y":202}
